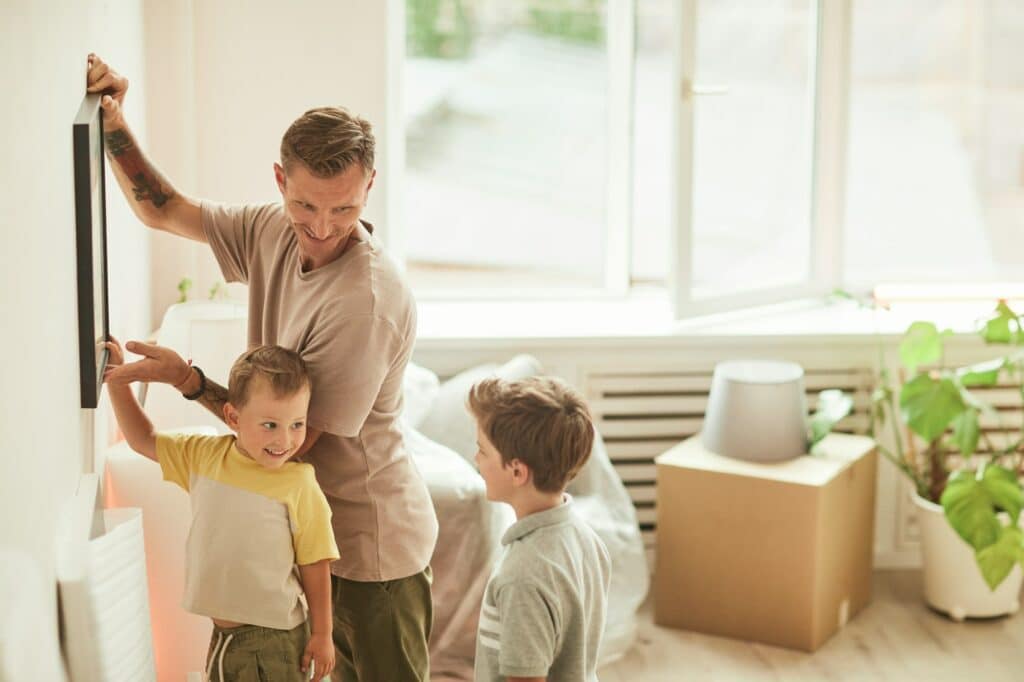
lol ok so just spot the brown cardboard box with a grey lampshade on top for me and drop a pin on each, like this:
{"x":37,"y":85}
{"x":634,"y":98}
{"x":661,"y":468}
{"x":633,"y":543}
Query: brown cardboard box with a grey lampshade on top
{"x":777,"y":553}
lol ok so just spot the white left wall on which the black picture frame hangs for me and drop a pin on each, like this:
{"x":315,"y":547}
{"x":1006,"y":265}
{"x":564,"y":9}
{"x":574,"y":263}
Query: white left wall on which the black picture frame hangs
{"x":48,"y":441}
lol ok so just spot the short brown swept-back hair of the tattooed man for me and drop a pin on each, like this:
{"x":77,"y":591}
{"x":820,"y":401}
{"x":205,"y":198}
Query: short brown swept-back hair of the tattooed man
{"x":328,"y":141}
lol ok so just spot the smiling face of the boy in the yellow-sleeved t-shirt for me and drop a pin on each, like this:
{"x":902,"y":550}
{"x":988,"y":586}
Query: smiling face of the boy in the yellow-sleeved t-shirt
{"x":271,"y":430}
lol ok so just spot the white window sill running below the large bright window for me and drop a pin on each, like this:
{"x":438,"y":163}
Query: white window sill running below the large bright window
{"x":448,"y":324}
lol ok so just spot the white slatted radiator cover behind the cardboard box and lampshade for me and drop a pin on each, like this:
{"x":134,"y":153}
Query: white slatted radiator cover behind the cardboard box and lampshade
{"x":645,"y":412}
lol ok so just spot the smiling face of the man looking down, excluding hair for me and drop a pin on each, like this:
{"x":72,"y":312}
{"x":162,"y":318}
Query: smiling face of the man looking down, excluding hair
{"x":324,"y":212}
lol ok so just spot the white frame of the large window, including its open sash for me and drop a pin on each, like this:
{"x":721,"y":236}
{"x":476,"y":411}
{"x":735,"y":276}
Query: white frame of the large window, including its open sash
{"x":831,"y":97}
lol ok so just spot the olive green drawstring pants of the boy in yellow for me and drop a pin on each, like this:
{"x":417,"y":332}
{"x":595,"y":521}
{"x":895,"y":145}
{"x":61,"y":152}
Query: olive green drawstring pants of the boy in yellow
{"x":253,"y":654}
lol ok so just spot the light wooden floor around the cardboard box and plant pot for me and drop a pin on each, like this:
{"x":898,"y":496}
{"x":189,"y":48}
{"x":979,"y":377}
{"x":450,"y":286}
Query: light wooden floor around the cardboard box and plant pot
{"x":898,"y":637}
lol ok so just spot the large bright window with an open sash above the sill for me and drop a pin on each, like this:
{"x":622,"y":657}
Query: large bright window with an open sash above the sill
{"x":730,"y":153}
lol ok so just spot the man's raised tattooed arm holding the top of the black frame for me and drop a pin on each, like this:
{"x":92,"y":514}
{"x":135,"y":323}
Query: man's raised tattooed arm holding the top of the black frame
{"x":151,"y":195}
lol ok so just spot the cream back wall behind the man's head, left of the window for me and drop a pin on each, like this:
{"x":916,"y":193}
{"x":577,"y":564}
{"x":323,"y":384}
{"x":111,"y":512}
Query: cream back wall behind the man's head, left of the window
{"x":228,"y":78}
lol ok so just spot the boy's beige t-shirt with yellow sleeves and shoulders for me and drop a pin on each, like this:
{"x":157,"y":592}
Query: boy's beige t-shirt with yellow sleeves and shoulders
{"x":251,"y":526}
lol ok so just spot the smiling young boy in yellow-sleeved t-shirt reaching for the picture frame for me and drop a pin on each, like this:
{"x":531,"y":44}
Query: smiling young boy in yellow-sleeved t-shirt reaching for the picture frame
{"x":255,"y":518}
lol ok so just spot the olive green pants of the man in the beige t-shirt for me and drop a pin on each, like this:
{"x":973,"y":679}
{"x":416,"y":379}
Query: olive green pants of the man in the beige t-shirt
{"x":381,"y":630}
